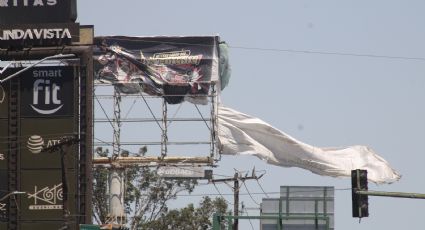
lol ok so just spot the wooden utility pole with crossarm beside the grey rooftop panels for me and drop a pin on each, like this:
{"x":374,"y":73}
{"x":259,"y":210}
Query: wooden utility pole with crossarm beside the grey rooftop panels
{"x":236,"y":187}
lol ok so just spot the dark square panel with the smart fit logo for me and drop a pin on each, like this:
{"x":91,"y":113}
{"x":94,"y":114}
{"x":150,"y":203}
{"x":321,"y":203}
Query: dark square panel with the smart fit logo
{"x":47,"y":92}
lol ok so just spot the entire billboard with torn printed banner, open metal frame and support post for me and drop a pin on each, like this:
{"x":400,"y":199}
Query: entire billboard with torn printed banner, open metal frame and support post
{"x":140,"y":122}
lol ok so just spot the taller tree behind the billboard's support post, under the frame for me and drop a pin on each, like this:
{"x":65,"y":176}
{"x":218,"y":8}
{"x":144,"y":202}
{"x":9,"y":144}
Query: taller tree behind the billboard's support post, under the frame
{"x":146,"y":194}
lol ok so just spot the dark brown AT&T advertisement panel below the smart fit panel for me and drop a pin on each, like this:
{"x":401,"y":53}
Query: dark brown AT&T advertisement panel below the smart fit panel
{"x":37,"y":134}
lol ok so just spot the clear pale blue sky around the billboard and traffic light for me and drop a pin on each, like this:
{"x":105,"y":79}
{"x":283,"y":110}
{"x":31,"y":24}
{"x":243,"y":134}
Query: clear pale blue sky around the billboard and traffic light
{"x":329,"y":73}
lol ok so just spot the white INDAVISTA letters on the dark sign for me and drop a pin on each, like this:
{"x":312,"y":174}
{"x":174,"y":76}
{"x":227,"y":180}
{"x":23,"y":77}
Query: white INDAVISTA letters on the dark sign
{"x":35,"y":34}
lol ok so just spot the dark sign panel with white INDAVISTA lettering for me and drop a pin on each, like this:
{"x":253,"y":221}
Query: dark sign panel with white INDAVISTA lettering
{"x":31,"y":35}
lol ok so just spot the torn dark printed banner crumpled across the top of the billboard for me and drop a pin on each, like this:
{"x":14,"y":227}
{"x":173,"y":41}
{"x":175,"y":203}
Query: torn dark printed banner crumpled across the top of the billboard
{"x":177,"y":68}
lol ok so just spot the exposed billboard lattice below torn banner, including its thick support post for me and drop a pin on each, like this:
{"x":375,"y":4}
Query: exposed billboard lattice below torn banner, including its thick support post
{"x":126,"y":153}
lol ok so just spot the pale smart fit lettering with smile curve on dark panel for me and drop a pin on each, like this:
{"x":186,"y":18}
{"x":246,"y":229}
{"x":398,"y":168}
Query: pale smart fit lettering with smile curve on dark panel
{"x":45,"y":91}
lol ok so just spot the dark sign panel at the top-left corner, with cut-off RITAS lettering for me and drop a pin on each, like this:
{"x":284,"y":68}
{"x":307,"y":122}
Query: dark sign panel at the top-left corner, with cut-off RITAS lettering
{"x":37,"y":11}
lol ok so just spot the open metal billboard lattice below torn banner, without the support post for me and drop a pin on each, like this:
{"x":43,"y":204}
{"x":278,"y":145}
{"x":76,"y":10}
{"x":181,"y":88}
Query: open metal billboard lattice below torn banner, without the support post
{"x":153,"y":115}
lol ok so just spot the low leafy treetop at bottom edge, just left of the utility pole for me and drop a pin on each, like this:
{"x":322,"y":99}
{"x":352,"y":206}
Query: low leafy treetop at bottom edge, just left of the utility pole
{"x":189,"y":217}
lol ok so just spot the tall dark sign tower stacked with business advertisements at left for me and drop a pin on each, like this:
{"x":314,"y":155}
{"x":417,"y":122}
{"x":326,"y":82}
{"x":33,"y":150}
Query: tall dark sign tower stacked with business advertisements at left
{"x":40,"y":107}
